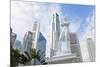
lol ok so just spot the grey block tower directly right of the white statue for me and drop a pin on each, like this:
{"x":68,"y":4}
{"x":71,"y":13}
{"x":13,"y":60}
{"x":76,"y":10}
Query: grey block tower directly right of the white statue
{"x":75,"y":47}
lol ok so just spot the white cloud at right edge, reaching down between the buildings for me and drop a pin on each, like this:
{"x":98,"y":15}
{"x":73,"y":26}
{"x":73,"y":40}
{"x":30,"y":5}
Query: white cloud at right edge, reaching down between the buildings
{"x":89,"y":32}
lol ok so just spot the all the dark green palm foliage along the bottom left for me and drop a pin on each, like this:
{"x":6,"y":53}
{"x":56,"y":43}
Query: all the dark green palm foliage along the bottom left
{"x":17,"y":58}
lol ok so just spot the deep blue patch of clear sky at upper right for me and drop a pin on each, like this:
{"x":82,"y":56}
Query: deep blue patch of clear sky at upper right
{"x":78,"y":12}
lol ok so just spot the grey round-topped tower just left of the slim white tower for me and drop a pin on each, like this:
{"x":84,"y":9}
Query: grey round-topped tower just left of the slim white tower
{"x":27,"y":41}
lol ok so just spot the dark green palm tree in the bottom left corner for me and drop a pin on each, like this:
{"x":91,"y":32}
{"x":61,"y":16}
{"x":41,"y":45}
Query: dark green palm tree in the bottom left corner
{"x":17,"y":58}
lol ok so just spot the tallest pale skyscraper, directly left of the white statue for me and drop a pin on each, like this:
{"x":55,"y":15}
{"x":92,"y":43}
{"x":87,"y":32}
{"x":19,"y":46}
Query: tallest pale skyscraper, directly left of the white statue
{"x":55,"y":33}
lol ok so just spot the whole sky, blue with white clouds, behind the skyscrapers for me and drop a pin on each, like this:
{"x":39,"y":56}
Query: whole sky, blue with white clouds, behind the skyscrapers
{"x":80,"y":17}
